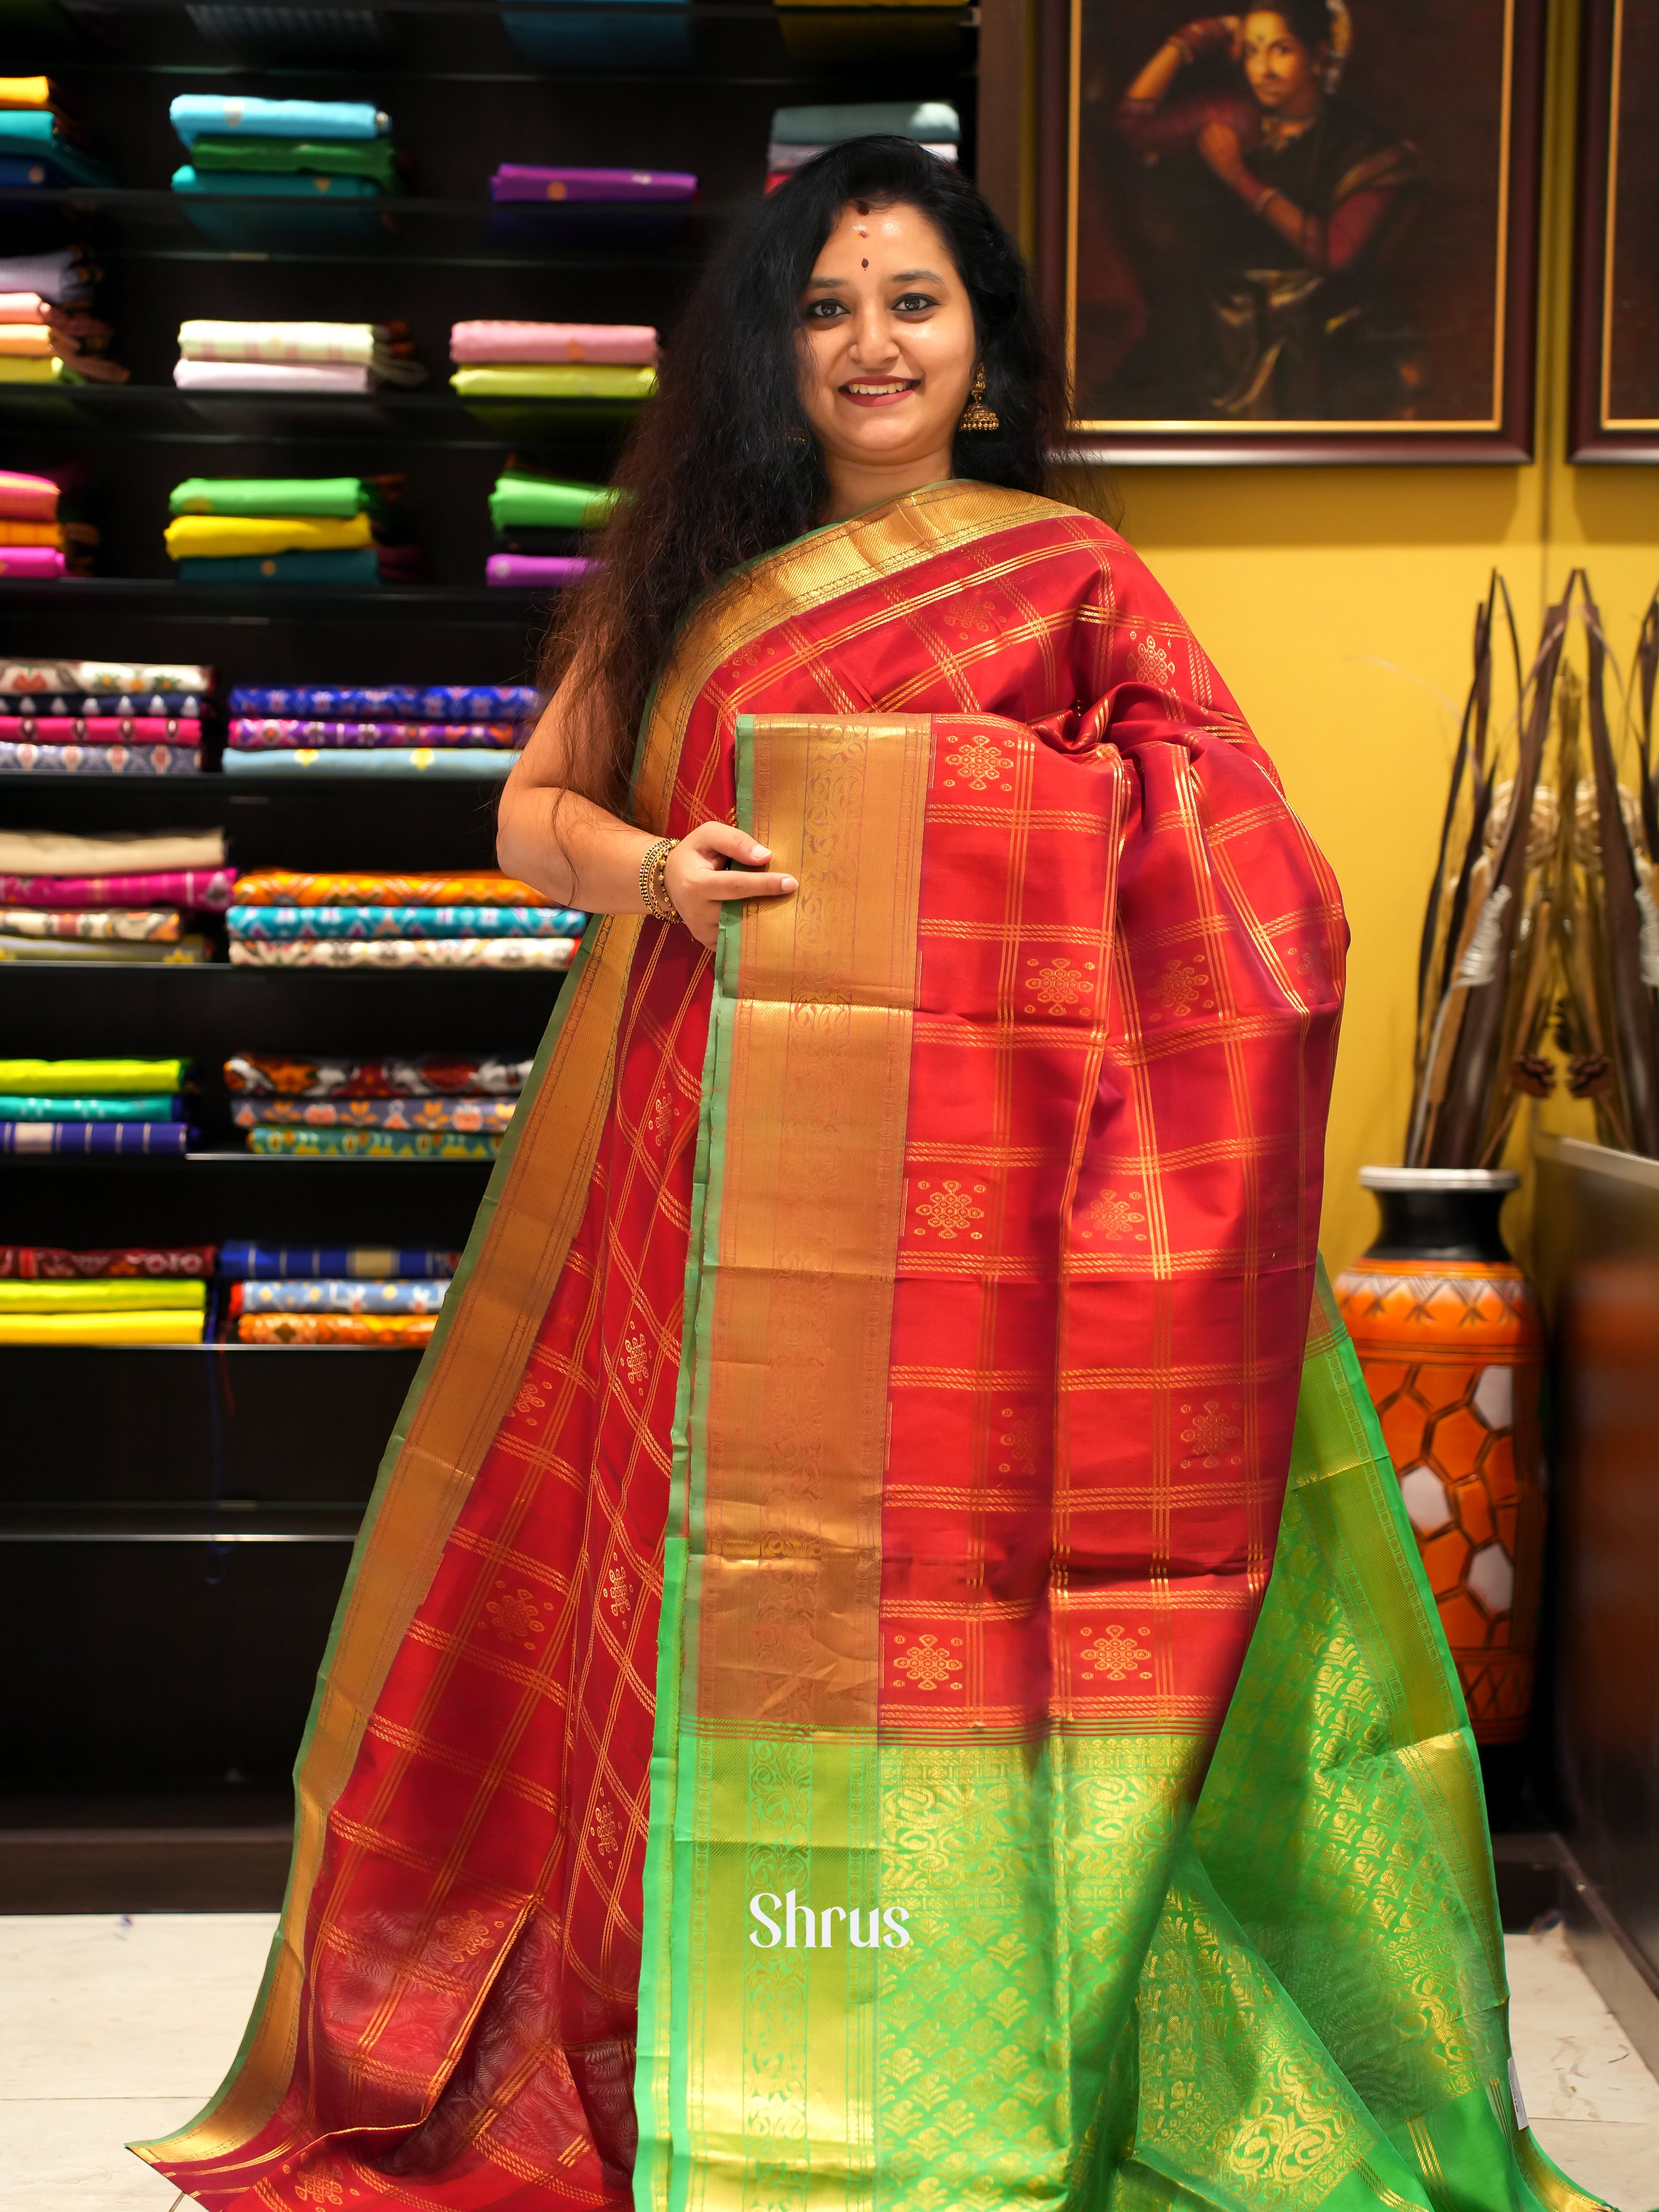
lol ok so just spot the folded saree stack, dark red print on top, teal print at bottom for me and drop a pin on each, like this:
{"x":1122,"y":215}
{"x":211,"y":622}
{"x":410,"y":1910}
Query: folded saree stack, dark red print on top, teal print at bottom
{"x":426,"y":1107}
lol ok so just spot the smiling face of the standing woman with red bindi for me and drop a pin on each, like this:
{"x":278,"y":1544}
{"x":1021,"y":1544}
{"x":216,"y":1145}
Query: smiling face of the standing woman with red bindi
{"x":888,"y":344}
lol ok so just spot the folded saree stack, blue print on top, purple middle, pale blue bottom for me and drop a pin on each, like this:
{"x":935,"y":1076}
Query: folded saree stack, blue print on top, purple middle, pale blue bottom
{"x":377,"y":729}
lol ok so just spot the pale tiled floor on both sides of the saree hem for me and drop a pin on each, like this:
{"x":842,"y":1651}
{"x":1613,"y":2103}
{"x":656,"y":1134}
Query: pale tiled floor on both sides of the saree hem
{"x":116,"y":2030}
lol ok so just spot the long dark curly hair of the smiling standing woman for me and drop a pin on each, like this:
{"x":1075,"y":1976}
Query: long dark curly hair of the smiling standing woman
{"x":722,"y":463}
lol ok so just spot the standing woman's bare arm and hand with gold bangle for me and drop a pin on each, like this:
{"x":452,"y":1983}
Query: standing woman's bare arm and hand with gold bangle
{"x":581,"y":855}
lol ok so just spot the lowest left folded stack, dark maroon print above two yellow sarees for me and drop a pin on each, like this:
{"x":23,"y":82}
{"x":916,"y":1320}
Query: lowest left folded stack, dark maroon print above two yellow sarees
{"x":145,"y":1295}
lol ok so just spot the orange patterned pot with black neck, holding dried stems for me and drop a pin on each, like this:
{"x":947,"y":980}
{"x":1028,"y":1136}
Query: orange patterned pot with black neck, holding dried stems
{"x":1452,"y":1346}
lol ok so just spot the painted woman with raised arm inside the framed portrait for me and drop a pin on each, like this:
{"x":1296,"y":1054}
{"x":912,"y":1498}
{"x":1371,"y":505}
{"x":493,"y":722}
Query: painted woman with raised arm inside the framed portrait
{"x":1286,"y":205}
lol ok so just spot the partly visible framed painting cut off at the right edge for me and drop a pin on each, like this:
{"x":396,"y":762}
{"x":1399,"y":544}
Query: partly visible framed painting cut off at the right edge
{"x":1616,"y":324}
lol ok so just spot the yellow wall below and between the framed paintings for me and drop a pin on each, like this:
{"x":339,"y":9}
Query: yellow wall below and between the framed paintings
{"x":1339,"y":607}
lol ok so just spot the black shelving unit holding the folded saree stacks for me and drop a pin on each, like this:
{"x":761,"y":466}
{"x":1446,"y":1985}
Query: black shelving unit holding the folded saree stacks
{"x":176,"y":1523}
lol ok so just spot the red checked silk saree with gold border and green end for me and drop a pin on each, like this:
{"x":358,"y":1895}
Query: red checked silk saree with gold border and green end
{"x":886,"y":1667}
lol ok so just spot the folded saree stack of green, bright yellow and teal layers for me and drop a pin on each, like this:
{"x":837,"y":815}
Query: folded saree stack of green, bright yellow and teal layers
{"x":289,"y":530}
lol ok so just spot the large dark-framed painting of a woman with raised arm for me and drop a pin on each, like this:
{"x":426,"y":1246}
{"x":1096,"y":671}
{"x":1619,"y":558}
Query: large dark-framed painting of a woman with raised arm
{"x":1300,"y":233}
